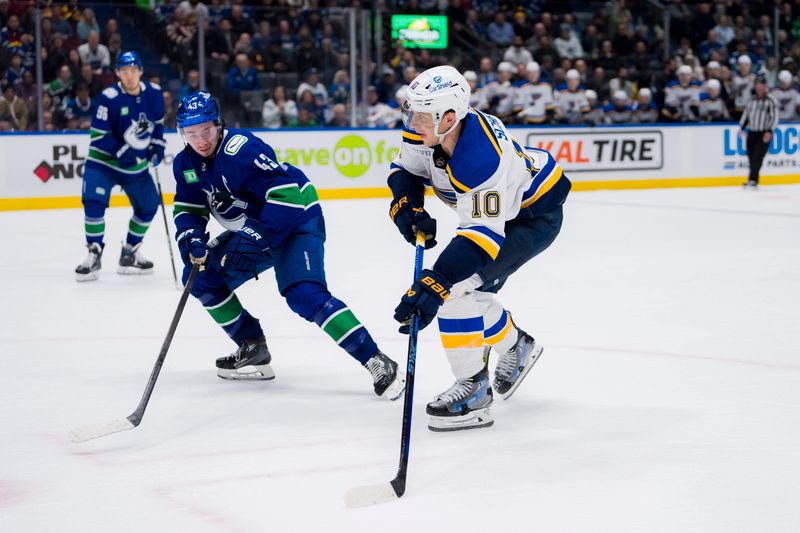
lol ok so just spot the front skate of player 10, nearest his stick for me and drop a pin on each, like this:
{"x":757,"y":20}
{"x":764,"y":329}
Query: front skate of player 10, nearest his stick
{"x":465,"y":405}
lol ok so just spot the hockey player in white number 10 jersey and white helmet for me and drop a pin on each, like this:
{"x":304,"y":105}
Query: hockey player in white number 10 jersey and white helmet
{"x":508,"y":199}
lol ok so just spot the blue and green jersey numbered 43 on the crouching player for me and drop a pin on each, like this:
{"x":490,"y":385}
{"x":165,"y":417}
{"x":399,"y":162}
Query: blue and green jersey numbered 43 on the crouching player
{"x":242,"y":185}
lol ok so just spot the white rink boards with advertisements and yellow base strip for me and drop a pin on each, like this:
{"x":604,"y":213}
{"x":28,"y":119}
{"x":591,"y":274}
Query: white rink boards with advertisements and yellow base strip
{"x":43,"y":171}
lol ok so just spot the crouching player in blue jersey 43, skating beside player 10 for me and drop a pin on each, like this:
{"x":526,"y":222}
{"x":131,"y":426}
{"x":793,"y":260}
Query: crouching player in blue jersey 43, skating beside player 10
{"x":273,"y":220}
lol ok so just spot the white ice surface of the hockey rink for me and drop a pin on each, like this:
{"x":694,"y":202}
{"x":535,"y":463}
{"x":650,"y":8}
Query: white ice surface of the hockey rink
{"x":666,"y":399}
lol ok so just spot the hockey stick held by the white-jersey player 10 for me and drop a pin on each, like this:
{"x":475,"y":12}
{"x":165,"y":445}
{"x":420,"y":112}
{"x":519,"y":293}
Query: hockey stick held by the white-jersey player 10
{"x":385,"y":492}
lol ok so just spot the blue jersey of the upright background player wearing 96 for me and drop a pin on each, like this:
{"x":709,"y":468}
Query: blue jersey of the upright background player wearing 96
{"x":123,"y":128}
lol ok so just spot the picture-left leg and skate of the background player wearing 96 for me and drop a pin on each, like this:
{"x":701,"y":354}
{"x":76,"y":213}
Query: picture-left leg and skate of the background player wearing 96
{"x":95,"y":197}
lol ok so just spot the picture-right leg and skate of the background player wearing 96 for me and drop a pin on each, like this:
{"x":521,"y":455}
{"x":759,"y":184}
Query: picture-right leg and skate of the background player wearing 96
{"x":144,"y":198}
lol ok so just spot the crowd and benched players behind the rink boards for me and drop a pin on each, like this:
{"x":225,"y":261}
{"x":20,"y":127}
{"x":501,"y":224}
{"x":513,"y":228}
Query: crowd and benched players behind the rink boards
{"x":282,"y":63}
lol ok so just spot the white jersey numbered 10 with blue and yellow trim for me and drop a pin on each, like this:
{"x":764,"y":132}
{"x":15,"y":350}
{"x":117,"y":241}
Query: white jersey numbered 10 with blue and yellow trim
{"x":489,"y":180}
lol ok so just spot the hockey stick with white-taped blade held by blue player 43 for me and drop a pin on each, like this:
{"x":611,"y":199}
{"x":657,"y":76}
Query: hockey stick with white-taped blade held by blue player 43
{"x":134,"y":419}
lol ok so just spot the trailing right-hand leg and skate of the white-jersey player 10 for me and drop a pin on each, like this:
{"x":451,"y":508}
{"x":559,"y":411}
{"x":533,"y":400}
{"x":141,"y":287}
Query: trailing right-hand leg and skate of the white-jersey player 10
{"x":517,"y":350}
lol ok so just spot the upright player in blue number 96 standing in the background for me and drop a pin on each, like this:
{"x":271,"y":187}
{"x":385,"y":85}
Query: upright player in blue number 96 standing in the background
{"x":127,"y":133}
